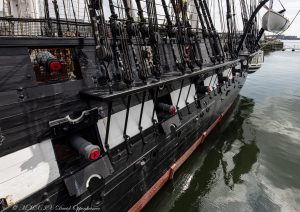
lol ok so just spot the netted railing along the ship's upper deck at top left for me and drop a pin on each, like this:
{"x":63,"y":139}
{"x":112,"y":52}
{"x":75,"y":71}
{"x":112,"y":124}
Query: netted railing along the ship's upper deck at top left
{"x":29,"y":27}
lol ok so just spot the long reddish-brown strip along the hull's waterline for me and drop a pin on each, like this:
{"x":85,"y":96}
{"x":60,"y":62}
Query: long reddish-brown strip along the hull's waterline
{"x":139,"y":205}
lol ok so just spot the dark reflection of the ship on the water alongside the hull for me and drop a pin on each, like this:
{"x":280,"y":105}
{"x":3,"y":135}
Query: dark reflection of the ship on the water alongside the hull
{"x":228,"y":153}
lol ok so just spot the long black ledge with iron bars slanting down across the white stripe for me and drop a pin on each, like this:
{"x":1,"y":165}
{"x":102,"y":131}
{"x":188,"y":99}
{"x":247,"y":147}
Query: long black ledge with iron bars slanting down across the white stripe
{"x":105,"y":95}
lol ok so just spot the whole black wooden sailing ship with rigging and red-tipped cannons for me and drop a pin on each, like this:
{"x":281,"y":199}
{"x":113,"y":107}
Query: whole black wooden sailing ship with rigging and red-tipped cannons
{"x":98,"y":109}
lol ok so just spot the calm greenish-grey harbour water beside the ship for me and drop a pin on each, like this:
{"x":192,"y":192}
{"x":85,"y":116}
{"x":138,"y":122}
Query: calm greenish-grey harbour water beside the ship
{"x":251,"y":162}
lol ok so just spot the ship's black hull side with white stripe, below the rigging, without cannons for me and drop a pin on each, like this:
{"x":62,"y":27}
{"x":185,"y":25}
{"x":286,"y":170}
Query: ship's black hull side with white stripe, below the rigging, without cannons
{"x":131,"y":169}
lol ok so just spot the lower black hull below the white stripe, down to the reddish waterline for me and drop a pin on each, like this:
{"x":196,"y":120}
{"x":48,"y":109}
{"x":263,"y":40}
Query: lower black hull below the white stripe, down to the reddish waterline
{"x":135,"y":184}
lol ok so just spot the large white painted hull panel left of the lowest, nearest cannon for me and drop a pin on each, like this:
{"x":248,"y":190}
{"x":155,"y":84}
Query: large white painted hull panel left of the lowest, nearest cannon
{"x":27,"y":171}
